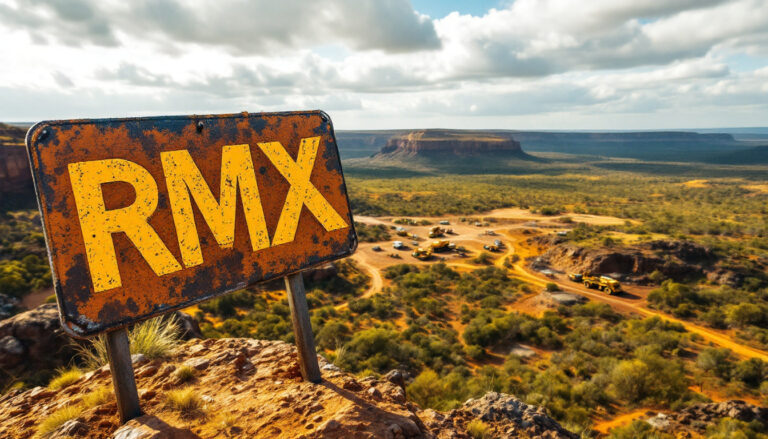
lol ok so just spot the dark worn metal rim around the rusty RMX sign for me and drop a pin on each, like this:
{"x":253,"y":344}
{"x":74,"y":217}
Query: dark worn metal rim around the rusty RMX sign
{"x":64,"y":318}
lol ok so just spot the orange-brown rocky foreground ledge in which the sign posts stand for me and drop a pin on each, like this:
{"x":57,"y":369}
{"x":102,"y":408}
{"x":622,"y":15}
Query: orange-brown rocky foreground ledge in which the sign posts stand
{"x":253,"y":388}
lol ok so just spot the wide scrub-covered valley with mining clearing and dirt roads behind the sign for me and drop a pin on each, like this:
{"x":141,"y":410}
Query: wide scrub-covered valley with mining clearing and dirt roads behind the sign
{"x":495,"y":310}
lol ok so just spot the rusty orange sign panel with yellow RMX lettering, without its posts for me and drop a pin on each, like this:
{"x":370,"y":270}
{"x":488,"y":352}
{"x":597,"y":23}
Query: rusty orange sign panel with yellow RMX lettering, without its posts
{"x":143,"y":216}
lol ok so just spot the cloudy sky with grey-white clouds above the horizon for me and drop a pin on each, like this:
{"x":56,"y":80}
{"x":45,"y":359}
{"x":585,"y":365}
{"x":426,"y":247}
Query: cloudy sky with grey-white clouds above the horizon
{"x":516,"y":64}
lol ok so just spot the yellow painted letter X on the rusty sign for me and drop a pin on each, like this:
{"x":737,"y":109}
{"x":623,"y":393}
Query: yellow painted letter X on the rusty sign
{"x":302,"y":191}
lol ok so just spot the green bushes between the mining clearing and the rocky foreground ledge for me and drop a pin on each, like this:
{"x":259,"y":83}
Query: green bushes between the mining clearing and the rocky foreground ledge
{"x":597,"y":359}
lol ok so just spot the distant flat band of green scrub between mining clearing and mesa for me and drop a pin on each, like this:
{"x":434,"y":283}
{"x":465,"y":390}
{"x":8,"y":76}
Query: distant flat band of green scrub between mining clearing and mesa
{"x":723,"y":208}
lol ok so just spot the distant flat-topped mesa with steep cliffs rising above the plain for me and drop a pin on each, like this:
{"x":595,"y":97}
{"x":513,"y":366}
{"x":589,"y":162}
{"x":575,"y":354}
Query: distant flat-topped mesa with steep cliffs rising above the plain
{"x":447,"y":143}
